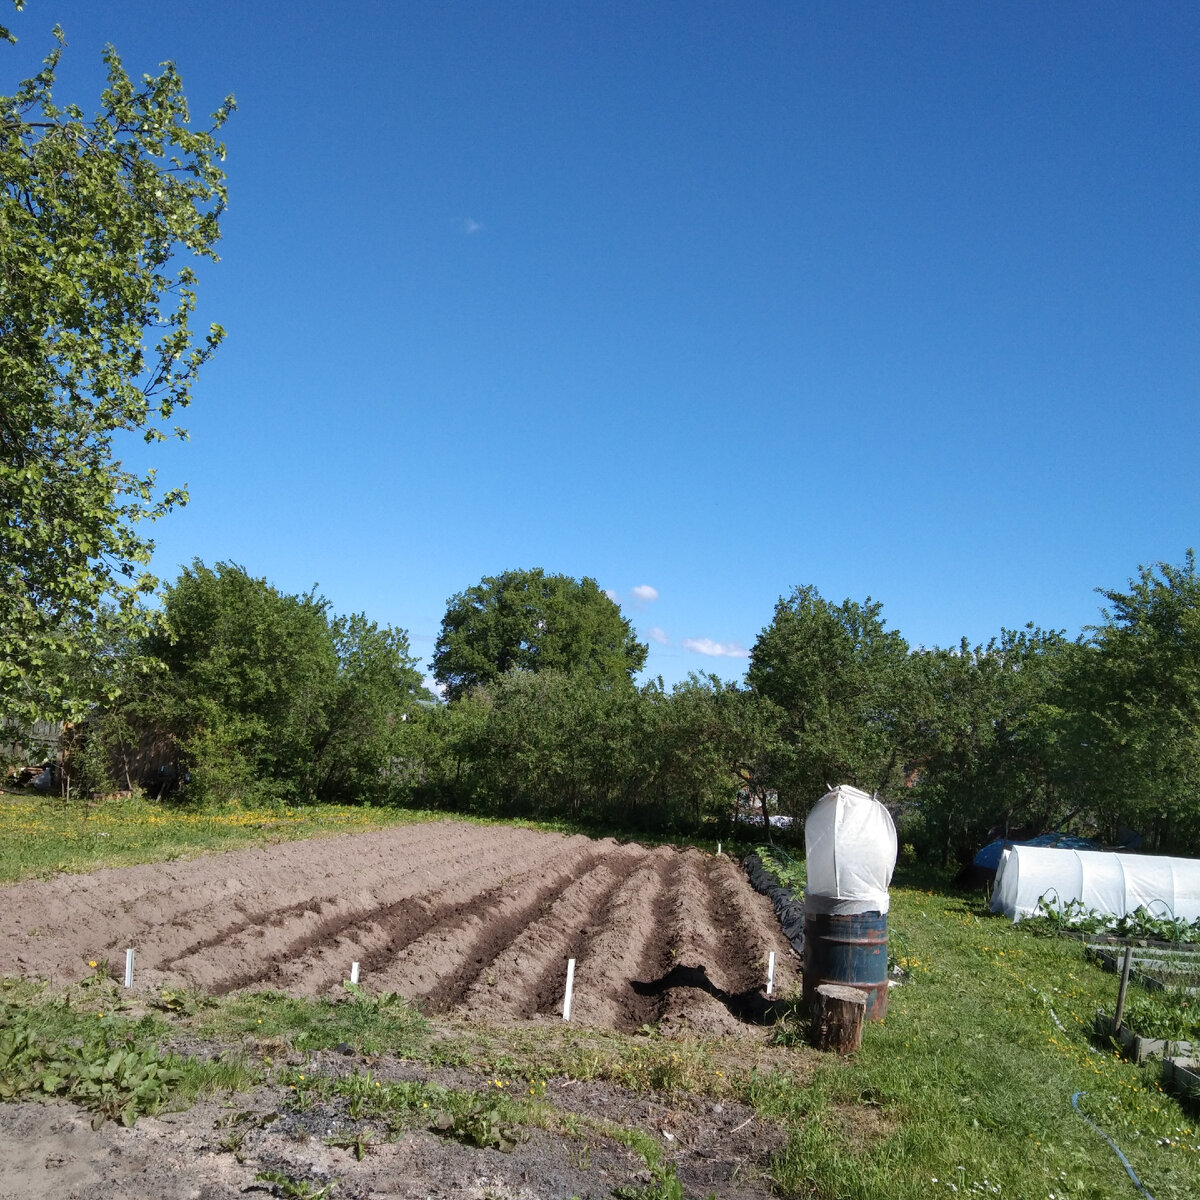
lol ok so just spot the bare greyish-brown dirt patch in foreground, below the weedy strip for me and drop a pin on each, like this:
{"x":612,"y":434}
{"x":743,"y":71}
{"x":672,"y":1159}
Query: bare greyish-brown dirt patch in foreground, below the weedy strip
{"x":217,"y":1150}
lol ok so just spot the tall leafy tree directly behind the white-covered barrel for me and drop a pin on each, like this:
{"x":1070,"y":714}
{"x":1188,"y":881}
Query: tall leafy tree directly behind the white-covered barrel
{"x":839,"y":677}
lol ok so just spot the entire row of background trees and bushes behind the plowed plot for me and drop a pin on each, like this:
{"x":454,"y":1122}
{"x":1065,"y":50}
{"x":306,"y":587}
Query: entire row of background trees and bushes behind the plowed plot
{"x":269,"y":695}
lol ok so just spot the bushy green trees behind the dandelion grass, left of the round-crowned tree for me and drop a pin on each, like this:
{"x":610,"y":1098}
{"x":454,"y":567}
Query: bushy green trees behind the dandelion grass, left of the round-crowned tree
{"x":268,"y":698}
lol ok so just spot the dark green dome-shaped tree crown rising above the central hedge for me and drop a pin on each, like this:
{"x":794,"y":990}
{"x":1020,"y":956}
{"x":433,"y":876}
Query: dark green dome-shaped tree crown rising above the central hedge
{"x":529,"y":621}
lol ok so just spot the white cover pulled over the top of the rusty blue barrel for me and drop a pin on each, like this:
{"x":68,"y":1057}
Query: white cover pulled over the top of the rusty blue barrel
{"x":851,"y":848}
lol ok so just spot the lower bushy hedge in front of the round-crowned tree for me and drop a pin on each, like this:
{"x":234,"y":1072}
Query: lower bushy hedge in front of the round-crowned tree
{"x":555,"y":746}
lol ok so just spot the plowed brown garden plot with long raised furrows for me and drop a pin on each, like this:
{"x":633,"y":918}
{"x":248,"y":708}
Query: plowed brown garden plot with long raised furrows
{"x":455,"y":917}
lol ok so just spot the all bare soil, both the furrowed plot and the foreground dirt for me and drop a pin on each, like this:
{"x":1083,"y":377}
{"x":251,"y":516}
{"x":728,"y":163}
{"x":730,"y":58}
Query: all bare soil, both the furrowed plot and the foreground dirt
{"x":477,"y":923}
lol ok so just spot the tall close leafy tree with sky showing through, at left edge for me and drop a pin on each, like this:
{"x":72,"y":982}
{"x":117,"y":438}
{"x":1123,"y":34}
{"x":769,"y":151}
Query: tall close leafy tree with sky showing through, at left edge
{"x":95,"y":345}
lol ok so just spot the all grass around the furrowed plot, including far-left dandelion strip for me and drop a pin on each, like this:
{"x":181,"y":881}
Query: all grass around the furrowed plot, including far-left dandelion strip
{"x":965,"y":1090}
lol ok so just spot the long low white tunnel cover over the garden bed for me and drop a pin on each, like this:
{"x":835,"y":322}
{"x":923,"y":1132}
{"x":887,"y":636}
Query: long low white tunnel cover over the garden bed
{"x":1108,"y":883}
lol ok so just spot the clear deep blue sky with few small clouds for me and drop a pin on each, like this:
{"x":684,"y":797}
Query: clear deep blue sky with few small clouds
{"x":707,"y":301}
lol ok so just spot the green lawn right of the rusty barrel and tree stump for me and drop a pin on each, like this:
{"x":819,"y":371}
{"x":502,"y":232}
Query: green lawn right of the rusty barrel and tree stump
{"x":973,"y":1078}
